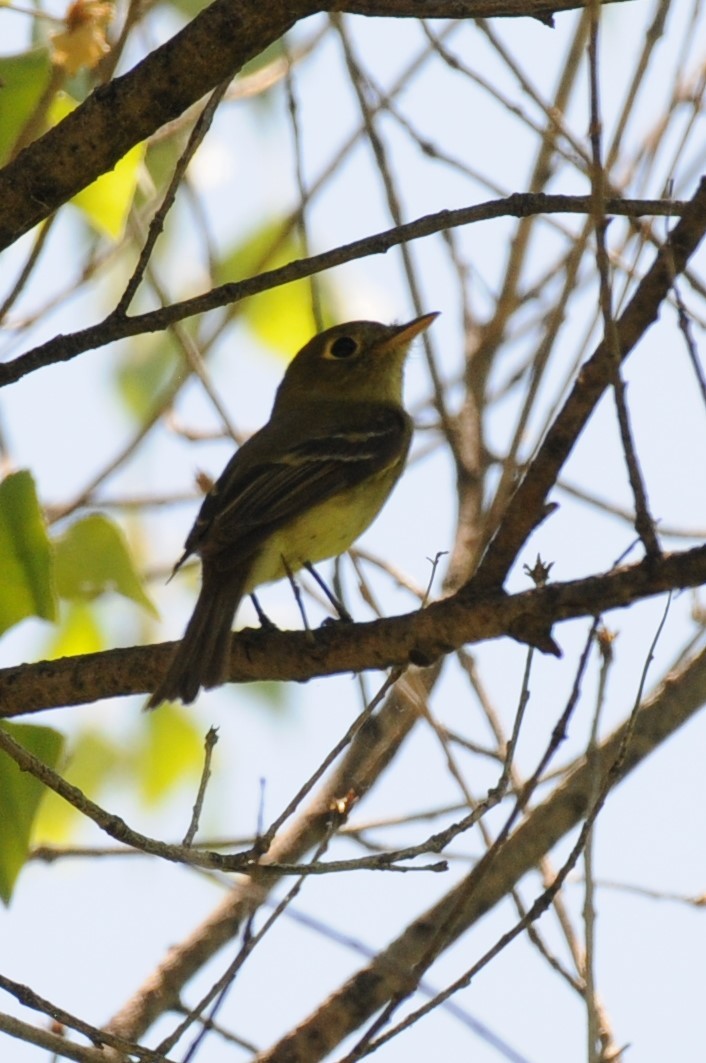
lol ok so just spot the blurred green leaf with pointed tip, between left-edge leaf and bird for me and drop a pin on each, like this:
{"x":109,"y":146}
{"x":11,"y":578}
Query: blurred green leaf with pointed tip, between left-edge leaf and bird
{"x":93,"y":559}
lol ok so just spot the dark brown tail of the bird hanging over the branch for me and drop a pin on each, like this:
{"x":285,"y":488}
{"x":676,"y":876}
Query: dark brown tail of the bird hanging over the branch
{"x":201,"y":659}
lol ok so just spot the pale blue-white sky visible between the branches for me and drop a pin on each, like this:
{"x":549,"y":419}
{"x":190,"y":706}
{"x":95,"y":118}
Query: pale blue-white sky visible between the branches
{"x":102,"y":926}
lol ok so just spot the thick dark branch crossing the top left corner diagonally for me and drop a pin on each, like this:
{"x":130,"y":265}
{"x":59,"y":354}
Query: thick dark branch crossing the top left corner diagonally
{"x":212,"y":48}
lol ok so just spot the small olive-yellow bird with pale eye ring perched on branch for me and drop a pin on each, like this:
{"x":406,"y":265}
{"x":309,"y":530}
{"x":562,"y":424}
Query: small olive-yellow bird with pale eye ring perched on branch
{"x":301,"y":490}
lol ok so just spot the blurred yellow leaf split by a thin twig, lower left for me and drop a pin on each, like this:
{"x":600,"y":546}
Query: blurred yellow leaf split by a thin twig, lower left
{"x":93,"y":762}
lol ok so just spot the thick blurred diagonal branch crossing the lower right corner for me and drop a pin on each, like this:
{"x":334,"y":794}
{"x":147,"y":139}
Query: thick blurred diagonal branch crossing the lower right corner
{"x":404,"y":963}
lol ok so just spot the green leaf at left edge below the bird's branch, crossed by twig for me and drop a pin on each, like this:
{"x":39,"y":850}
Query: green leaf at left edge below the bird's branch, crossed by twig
{"x":21,"y":795}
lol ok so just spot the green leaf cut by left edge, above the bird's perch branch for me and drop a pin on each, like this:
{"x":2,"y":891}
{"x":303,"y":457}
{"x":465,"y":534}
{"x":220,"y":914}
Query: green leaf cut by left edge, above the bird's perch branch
{"x":26,"y":559}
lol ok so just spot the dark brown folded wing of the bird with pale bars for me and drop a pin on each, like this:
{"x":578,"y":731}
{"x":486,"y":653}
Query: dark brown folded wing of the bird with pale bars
{"x":253,"y":498}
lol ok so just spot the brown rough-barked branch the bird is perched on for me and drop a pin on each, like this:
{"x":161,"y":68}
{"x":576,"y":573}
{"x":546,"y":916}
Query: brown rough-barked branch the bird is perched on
{"x":419,"y":638}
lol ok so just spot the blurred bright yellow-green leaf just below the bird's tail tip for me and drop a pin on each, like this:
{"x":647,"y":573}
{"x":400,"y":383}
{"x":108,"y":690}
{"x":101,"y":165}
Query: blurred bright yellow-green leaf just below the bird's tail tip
{"x":172,"y":753}
